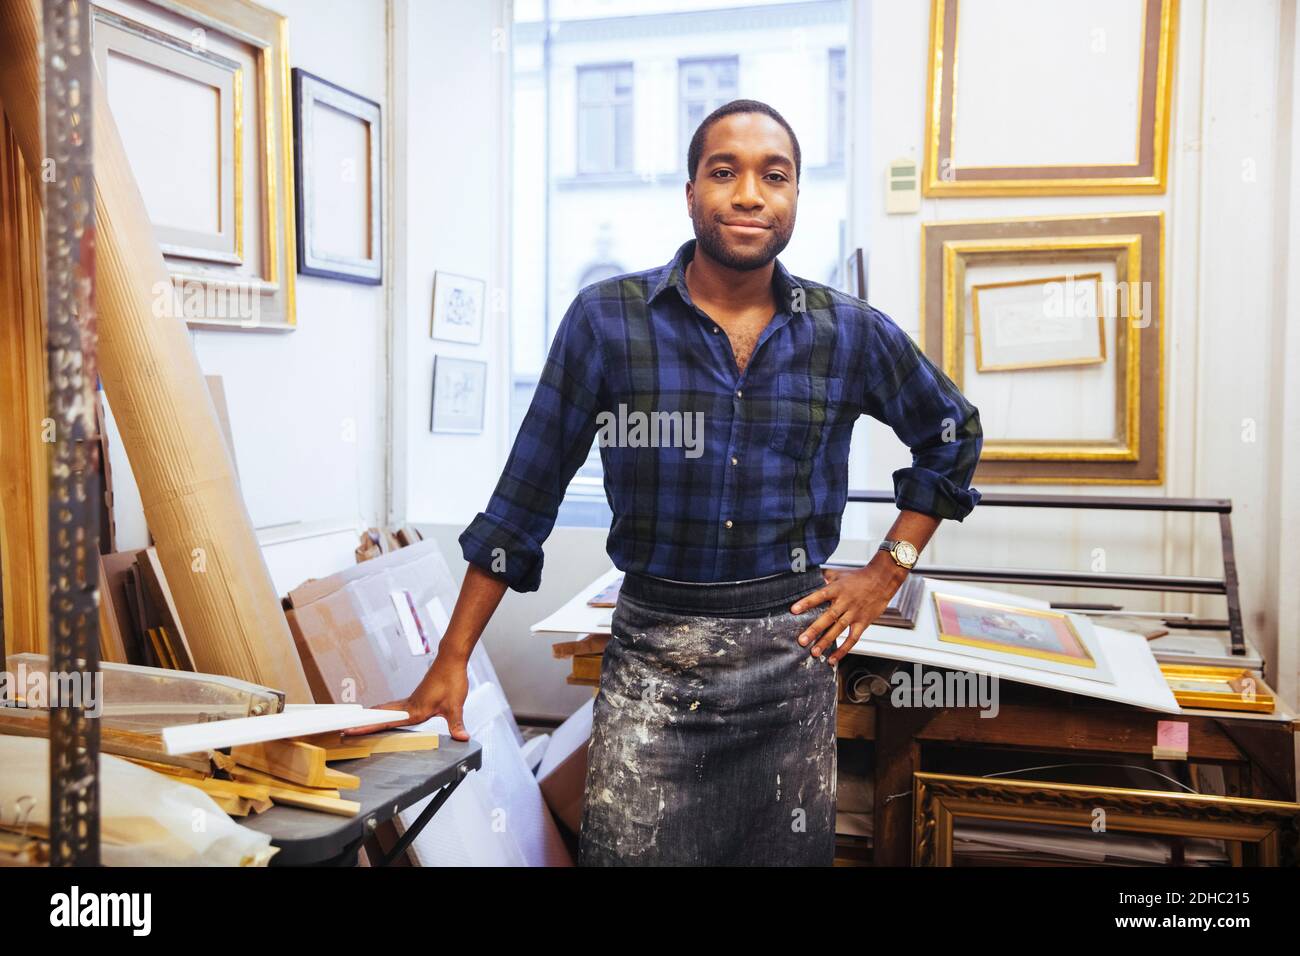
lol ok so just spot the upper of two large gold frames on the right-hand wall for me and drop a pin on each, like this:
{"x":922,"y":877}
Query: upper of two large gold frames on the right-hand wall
{"x":1151,"y":54}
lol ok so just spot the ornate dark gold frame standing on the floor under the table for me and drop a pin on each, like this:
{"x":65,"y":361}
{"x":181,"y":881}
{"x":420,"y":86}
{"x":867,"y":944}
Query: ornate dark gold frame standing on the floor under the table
{"x":1255,"y":833}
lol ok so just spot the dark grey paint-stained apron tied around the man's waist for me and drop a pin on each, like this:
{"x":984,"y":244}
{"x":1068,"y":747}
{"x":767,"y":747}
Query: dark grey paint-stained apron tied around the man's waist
{"x":713,"y":738}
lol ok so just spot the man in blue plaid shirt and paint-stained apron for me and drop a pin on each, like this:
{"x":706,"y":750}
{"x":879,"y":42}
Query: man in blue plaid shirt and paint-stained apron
{"x":714,"y":726}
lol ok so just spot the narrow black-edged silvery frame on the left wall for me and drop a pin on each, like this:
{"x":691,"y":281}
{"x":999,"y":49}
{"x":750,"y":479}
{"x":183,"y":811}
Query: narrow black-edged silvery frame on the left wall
{"x":339,"y":168}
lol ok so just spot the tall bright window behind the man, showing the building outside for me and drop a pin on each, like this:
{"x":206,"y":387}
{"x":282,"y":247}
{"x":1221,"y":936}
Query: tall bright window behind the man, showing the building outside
{"x":605,"y":105}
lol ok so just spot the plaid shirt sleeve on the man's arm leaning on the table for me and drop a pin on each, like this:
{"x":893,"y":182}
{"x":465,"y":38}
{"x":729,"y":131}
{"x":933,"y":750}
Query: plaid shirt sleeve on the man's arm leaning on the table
{"x":554,"y":439}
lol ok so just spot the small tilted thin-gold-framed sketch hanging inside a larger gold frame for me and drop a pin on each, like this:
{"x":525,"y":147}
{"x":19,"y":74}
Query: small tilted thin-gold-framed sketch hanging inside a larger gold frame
{"x":1039,"y":323}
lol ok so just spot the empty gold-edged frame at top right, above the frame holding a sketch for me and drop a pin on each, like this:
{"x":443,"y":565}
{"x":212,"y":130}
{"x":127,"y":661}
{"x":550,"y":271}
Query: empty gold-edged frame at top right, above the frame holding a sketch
{"x":1071,"y":46}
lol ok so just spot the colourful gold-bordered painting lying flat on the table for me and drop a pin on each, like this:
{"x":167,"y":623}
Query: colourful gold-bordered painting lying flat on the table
{"x":1028,"y":631}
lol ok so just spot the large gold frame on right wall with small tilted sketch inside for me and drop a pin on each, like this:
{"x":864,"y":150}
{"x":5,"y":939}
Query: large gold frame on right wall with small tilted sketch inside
{"x":1076,"y":396}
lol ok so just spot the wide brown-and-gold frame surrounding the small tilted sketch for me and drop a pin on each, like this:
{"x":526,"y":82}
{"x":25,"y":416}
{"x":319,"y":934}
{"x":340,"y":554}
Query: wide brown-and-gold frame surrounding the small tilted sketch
{"x":1130,"y":244}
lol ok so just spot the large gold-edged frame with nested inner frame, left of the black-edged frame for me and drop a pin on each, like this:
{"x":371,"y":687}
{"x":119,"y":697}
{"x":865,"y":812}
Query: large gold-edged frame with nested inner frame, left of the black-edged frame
{"x":232,"y":258}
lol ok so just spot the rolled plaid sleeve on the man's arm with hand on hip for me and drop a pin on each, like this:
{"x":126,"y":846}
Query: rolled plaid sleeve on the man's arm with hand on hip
{"x":930,"y":414}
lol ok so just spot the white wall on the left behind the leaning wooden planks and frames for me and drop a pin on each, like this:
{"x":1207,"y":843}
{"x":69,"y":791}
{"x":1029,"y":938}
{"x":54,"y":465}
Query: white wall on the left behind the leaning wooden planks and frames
{"x":307,"y":408}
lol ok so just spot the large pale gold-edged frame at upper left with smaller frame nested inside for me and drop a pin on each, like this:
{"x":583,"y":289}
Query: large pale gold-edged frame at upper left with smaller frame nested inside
{"x":252,"y":284}
